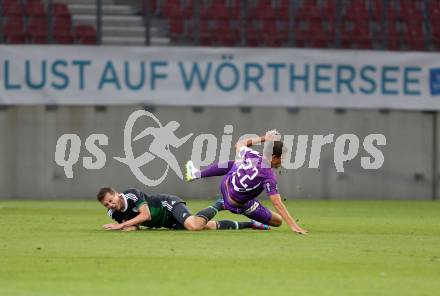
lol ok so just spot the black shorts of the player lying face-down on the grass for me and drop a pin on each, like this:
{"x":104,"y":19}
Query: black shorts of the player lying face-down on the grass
{"x":179,"y":212}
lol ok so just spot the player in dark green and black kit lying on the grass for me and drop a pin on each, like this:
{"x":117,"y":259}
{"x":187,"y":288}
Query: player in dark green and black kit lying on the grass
{"x":133,"y":208}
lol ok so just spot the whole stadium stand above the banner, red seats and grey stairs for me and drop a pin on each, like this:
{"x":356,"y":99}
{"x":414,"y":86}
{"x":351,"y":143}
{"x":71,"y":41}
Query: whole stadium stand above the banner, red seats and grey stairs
{"x":357,"y":24}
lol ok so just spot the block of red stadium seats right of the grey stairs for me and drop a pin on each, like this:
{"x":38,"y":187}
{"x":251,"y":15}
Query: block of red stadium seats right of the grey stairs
{"x":363,"y":24}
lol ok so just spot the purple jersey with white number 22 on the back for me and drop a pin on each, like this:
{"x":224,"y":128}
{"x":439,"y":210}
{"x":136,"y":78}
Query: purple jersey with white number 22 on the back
{"x":250,"y":176}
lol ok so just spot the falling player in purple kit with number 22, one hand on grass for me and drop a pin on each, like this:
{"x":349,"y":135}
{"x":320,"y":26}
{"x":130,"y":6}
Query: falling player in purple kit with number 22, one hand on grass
{"x":245,"y":179}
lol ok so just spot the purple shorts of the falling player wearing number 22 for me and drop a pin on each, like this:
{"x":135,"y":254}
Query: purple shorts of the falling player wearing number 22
{"x":252,"y":209}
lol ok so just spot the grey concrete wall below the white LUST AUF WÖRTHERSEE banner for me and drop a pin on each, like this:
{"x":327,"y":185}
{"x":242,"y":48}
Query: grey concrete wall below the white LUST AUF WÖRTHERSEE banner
{"x":28,"y":138}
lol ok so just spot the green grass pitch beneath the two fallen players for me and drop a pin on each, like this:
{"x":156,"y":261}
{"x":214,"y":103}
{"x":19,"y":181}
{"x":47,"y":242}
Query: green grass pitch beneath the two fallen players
{"x":354,"y":248}
